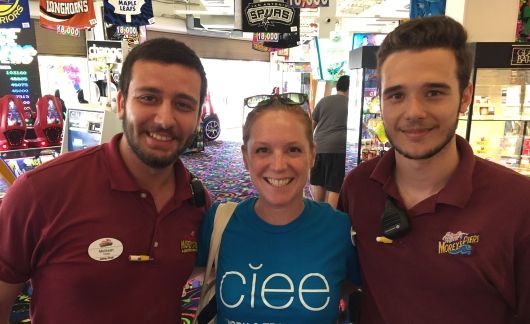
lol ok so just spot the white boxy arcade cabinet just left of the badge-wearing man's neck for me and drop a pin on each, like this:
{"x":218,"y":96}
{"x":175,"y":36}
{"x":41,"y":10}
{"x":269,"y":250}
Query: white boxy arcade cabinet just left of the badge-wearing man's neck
{"x":86,"y":127}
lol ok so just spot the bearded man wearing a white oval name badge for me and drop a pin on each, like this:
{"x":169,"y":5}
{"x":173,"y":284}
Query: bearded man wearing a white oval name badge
{"x":109,"y":234}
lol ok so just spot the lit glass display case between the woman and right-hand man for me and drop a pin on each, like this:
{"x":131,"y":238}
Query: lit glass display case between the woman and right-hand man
{"x":365,"y":126}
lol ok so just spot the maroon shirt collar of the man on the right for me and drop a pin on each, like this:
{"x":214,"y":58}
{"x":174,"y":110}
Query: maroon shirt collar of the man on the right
{"x":456,"y":192}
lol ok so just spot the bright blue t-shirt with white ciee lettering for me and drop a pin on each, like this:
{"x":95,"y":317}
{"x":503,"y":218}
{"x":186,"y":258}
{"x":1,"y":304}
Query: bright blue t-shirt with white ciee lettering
{"x":281,"y":274}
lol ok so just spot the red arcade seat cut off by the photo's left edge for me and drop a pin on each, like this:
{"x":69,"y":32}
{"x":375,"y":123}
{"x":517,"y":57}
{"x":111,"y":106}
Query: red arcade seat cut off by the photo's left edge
{"x":12,"y":123}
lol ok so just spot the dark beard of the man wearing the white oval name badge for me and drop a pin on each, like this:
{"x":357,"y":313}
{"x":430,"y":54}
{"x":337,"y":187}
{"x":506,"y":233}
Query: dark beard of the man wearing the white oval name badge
{"x":150,"y":160}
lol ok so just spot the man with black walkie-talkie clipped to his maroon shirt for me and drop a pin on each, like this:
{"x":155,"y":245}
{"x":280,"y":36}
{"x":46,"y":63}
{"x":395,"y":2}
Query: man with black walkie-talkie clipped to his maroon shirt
{"x":443,"y":235}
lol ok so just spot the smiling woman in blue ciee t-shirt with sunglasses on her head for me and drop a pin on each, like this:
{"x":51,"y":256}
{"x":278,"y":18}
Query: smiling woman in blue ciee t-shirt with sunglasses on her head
{"x":259,"y":279}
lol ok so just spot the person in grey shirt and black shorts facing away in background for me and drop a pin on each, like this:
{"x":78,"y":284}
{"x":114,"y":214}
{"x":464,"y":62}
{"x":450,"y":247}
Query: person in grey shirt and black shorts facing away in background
{"x":329,"y":123}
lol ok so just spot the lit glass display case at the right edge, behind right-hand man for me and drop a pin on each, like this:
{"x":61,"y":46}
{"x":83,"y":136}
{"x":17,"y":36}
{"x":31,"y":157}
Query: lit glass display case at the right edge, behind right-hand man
{"x":497,"y":123}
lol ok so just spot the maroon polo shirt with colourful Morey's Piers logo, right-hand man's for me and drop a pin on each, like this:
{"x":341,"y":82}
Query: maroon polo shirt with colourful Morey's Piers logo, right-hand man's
{"x":466,"y":258}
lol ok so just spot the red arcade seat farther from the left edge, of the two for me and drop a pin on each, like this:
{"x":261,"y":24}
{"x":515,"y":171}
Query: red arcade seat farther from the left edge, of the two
{"x":48,"y":124}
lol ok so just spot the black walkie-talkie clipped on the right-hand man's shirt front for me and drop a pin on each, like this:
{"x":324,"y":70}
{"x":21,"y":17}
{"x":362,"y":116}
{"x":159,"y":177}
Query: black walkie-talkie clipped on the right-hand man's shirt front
{"x":394,"y":220}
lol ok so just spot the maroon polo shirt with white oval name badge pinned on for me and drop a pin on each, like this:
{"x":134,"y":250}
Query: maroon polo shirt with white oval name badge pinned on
{"x":71,"y":225}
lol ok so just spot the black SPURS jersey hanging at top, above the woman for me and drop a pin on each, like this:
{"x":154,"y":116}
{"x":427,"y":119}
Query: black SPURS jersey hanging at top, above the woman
{"x":265,"y":14}
